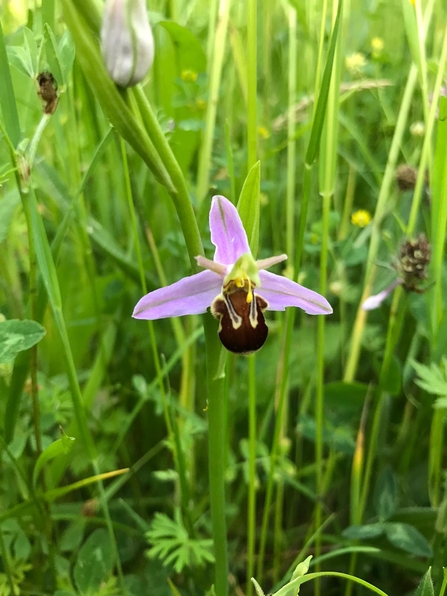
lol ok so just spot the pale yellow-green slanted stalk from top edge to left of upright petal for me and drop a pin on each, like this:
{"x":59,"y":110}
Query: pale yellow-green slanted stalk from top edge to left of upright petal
{"x":215,"y":75}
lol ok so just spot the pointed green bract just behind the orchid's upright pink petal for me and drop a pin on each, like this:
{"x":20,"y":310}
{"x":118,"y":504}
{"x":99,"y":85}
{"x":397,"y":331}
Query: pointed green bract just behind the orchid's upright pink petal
{"x":248,"y":206}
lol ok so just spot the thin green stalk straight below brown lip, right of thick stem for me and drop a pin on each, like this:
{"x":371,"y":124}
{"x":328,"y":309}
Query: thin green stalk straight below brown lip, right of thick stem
{"x":251,"y":512}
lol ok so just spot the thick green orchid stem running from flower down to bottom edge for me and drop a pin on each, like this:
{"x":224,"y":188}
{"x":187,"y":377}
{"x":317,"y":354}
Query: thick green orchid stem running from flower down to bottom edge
{"x":216,"y":441}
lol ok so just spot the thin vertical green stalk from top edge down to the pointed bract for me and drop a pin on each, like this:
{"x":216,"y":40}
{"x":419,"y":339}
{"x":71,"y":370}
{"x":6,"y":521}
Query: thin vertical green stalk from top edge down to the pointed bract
{"x":252,"y":74}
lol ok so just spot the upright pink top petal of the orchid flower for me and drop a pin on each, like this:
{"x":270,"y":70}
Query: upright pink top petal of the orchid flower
{"x":227,"y":232}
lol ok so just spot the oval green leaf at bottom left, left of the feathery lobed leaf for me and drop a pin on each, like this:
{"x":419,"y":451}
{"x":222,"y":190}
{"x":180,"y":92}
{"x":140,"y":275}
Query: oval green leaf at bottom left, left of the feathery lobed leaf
{"x":94,"y":563}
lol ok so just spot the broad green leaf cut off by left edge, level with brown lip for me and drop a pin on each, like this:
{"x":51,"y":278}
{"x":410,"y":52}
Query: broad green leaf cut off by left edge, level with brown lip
{"x":16,"y":336}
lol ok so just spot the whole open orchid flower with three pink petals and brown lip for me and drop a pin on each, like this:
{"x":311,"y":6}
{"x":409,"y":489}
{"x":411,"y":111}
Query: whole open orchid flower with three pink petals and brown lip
{"x":236,"y":287}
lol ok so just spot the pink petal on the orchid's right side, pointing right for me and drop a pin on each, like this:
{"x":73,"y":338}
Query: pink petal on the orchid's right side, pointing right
{"x":281,"y":292}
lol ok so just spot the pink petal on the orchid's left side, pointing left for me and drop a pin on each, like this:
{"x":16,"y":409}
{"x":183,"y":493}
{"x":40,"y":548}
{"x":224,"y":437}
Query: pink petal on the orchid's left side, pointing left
{"x":188,"y":296}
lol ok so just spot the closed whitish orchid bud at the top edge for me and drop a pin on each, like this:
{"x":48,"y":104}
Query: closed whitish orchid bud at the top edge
{"x":126,"y":41}
